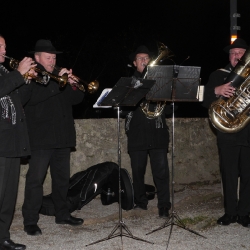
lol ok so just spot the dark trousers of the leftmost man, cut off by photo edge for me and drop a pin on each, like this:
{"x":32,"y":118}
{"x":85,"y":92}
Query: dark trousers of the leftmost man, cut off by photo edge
{"x":9,"y":177}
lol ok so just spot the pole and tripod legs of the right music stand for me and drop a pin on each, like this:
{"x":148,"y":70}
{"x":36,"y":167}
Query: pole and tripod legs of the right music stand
{"x":173,"y":218}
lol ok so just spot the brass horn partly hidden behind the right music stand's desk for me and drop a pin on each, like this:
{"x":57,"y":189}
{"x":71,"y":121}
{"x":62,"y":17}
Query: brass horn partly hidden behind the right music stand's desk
{"x":164,"y":52}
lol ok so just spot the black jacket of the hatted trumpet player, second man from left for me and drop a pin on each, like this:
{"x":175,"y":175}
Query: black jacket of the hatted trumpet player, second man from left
{"x":49,"y":115}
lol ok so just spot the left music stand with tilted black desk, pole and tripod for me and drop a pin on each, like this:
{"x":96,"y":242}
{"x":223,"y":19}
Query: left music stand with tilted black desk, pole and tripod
{"x":127,"y":92}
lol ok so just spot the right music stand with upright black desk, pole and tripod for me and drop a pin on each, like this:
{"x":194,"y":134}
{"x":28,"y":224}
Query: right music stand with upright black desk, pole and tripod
{"x":174,"y":84}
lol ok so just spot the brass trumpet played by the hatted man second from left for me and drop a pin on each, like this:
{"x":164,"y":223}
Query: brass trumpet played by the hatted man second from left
{"x":92,"y":87}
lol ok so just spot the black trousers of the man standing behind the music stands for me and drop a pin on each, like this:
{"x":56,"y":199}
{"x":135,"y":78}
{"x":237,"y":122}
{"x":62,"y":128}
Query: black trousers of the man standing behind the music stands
{"x":160,"y":172}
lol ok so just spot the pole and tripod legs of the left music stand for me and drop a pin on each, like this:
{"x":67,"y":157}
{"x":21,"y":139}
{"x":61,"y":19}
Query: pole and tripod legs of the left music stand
{"x":120,"y":225}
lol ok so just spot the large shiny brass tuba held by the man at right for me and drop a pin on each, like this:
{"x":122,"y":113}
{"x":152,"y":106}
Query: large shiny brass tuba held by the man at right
{"x":230,"y":115}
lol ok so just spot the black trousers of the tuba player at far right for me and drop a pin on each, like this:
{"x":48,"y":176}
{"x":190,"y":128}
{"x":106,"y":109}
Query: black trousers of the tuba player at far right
{"x":234,"y":163}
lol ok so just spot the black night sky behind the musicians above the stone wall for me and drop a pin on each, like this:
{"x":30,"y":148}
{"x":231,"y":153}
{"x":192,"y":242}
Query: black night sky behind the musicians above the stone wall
{"x":97,"y":37}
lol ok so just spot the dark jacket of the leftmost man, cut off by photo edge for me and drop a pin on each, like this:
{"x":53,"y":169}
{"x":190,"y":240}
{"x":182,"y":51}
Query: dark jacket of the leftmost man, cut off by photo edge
{"x":14,"y":140}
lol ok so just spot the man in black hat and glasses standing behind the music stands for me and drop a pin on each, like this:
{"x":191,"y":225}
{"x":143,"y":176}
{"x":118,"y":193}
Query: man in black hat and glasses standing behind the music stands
{"x":148,"y":137}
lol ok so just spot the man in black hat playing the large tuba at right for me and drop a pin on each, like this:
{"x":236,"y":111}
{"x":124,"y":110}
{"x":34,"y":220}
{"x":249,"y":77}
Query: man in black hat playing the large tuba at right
{"x":234,"y":148}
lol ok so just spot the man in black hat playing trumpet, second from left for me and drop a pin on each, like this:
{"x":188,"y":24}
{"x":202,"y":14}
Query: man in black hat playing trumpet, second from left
{"x":52,"y":135}
